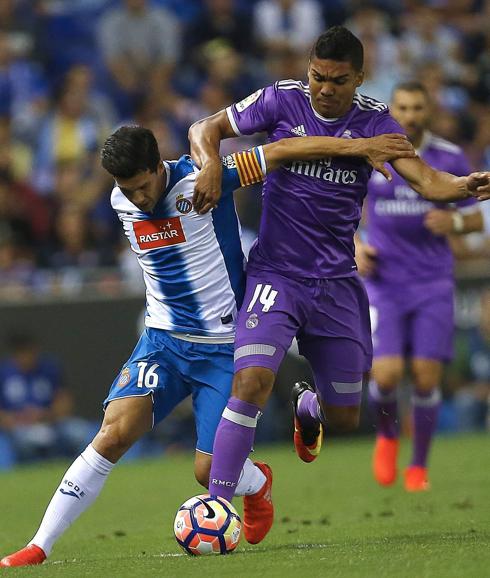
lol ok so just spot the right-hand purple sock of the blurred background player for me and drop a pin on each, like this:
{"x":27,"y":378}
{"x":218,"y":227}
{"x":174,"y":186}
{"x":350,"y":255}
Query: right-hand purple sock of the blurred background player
{"x":425,"y":412}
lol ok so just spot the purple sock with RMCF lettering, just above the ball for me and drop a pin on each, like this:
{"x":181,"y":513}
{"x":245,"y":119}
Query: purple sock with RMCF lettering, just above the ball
{"x":232,"y":444}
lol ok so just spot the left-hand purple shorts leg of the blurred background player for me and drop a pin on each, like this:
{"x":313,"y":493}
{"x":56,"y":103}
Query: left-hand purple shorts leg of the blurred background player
{"x":389,"y":323}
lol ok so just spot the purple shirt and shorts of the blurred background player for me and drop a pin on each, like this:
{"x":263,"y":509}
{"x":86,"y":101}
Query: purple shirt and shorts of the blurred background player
{"x":414,"y":267}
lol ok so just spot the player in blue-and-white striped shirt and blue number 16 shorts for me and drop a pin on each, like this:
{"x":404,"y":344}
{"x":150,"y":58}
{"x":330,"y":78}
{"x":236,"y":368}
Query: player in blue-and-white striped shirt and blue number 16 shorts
{"x":193,"y":268}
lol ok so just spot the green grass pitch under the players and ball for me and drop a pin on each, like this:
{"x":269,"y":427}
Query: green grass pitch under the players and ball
{"x":331,"y":519}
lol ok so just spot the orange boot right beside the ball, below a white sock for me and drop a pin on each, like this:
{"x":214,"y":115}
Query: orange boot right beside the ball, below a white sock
{"x":258,"y":510}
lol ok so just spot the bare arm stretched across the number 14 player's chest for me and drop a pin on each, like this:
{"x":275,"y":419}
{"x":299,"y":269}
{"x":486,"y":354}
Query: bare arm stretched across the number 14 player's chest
{"x":376,"y":150}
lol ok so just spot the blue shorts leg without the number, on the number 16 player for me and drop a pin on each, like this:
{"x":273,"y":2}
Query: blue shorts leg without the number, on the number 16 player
{"x":211,"y":391}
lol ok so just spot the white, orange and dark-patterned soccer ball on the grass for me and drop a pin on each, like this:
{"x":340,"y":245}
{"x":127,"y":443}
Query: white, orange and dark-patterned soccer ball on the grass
{"x":207,"y":525}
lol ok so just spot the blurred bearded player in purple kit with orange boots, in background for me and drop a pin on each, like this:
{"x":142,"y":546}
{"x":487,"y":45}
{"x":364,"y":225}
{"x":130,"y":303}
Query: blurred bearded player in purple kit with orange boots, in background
{"x":408,"y":266}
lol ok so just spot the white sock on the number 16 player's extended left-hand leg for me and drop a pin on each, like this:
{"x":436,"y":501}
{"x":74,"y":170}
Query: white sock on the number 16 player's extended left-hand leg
{"x":79,"y":487}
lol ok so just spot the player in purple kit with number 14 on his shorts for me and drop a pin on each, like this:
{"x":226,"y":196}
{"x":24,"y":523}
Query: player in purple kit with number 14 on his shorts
{"x":301,"y":278}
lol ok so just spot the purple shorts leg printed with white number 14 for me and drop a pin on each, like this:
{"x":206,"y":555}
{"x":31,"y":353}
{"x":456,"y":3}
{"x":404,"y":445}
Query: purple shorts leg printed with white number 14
{"x":267,"y":322}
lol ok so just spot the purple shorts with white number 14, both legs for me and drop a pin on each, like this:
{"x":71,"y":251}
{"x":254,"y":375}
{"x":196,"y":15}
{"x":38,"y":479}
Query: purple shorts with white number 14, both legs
{"x":329,"y":317}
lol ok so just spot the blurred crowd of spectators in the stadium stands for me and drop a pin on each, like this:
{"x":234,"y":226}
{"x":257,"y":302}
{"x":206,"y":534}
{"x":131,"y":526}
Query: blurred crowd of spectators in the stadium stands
{"x":71,"y":72}
